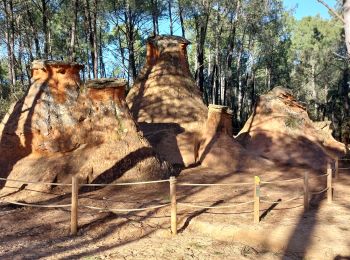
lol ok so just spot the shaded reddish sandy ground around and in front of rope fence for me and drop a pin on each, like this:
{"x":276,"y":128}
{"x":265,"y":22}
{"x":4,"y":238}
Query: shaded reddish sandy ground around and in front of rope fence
{"x":285,"y":231}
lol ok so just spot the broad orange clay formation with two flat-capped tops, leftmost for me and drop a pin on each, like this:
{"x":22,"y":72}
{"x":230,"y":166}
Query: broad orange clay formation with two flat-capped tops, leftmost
{"x":62,"y":128}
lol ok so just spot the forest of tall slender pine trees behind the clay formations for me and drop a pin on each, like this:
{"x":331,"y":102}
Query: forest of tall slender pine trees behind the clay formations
{"x":240,"y":48}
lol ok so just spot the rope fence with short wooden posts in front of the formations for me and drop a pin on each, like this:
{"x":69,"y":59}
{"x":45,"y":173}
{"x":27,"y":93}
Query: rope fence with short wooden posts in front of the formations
{"x":256,"y":201}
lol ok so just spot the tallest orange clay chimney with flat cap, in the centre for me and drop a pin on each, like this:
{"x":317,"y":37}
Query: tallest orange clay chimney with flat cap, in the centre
{"x":166,"y":102}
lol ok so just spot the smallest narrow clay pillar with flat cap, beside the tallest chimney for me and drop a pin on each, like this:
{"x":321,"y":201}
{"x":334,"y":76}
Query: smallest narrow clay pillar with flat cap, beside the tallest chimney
{"x":219,"y":150}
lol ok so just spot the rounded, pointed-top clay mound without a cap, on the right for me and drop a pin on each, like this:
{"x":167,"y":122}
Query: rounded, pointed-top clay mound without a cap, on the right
{"x":281,"y":130}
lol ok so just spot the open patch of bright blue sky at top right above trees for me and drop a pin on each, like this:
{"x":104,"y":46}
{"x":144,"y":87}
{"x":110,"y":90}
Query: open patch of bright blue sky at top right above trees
{"x":309,"y":7}
